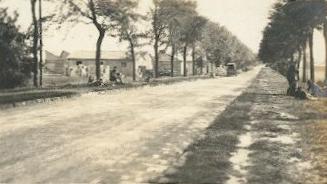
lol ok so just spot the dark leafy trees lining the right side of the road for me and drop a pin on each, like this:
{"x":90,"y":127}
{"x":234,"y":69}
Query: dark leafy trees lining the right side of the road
{"x":290,"y":33}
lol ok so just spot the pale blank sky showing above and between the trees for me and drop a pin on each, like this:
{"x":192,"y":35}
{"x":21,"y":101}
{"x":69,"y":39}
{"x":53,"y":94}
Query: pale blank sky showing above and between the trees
{"x":245,"y":18}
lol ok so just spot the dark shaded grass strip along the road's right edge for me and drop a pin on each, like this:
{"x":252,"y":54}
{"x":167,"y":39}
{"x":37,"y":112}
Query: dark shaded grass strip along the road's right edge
{"x":207,"y":159}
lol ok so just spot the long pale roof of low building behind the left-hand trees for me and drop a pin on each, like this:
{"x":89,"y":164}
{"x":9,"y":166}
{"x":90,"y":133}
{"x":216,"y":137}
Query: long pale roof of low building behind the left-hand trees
{"x":106,"y":55}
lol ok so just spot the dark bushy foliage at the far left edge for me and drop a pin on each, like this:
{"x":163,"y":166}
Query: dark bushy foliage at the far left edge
{"x":13,"y":49}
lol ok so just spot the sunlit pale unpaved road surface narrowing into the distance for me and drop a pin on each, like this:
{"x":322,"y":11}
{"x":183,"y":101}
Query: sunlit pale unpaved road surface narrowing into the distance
{"x":133,"y":136}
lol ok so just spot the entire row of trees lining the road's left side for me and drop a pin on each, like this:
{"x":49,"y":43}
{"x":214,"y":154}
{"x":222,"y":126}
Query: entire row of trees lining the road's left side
{"x":175,"y":27}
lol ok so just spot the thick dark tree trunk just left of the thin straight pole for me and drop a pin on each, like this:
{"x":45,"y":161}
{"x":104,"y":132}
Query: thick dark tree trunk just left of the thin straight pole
{"x":35,"y":43}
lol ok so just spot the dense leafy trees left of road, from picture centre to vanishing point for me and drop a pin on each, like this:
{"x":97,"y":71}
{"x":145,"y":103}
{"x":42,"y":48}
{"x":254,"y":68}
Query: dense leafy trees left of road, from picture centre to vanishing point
{"x":179,"y":28}
